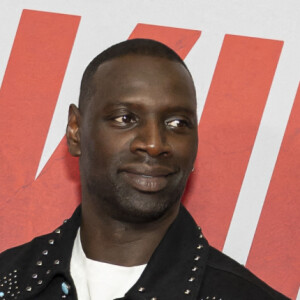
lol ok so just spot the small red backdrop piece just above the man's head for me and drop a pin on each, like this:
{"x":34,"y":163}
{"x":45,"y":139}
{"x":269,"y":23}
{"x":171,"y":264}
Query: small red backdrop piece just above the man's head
{"x":179,"y":39}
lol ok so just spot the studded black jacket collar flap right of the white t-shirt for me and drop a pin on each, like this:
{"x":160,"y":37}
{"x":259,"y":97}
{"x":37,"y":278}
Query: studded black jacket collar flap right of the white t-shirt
{"x":176,"y":268}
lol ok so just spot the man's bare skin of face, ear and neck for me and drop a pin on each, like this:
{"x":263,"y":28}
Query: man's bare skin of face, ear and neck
{"x":137,"y":142}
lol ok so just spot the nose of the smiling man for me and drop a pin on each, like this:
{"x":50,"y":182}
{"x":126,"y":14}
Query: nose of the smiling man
{"x":151,"y":139}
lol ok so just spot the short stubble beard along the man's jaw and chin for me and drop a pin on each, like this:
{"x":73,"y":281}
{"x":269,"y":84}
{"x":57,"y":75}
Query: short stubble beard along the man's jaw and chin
{"x":126,"y":204}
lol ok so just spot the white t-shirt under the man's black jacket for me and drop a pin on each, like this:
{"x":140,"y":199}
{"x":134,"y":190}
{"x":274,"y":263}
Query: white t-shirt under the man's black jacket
{"x":96,"y":280}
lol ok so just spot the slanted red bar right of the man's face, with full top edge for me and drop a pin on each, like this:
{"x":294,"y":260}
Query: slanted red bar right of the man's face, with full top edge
{"x":228,"y":128}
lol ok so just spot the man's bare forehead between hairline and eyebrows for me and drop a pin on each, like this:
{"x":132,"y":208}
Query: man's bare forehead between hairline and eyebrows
{"x":139,"y":77}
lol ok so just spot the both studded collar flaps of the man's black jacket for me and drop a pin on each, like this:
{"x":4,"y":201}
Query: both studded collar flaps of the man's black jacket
{"x":175,"y":270}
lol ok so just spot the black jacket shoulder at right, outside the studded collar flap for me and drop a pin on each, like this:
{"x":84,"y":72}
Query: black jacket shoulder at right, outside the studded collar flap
{"x":227,"y":279}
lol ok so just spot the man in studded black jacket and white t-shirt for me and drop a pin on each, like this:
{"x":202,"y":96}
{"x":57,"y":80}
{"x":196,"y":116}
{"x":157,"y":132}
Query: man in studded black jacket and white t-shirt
{"x":135,"y":132}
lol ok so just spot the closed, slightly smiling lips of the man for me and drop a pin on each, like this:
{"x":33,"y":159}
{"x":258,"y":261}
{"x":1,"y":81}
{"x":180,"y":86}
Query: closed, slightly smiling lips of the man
{"x":145,"y":178}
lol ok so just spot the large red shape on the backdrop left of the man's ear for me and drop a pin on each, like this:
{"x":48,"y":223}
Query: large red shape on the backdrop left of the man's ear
{"x":28,"y":96}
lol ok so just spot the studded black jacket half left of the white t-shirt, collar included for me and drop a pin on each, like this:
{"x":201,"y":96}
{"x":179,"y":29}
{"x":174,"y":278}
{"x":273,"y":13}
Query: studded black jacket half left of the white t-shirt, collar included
{"x":27,"y":270}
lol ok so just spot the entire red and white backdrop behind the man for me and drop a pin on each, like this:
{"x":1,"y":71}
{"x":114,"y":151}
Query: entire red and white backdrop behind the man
{"x":245,"y":60}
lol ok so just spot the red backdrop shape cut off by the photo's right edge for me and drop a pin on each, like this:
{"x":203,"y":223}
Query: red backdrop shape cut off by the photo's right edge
{"x":275,"y":255}
